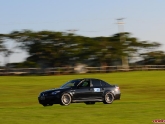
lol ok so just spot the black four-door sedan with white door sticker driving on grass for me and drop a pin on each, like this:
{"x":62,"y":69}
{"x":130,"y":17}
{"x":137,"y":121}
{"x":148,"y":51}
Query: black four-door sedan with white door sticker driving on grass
{"x":87,"y":90}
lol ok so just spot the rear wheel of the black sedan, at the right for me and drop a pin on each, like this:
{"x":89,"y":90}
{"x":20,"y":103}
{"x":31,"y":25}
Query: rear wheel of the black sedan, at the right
{"x":108,"y":98}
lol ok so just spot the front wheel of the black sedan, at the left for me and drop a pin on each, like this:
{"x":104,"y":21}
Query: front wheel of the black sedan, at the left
{"x":65,"y":99}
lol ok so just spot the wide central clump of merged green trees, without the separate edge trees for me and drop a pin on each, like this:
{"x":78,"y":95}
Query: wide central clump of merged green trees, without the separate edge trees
{"x":49,"y":49}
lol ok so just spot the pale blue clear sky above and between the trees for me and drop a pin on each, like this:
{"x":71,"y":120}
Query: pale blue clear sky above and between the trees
{"x":142,"y":18}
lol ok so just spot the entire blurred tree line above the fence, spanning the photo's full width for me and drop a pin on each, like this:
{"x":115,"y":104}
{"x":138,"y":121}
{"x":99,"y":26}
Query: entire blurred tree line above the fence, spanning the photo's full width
{"x":55,"y":49}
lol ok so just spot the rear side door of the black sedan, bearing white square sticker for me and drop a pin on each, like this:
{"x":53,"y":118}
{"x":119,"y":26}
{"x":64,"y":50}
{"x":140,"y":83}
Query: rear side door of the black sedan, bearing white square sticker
{"x":98,"y":90}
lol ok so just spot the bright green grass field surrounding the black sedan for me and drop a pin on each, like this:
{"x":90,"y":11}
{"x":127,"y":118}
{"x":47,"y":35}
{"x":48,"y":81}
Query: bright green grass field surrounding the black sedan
{"x":142,"y":100}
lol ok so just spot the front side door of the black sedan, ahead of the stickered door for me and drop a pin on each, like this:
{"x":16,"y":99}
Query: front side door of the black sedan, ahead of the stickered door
{"x":83,"y":91}
